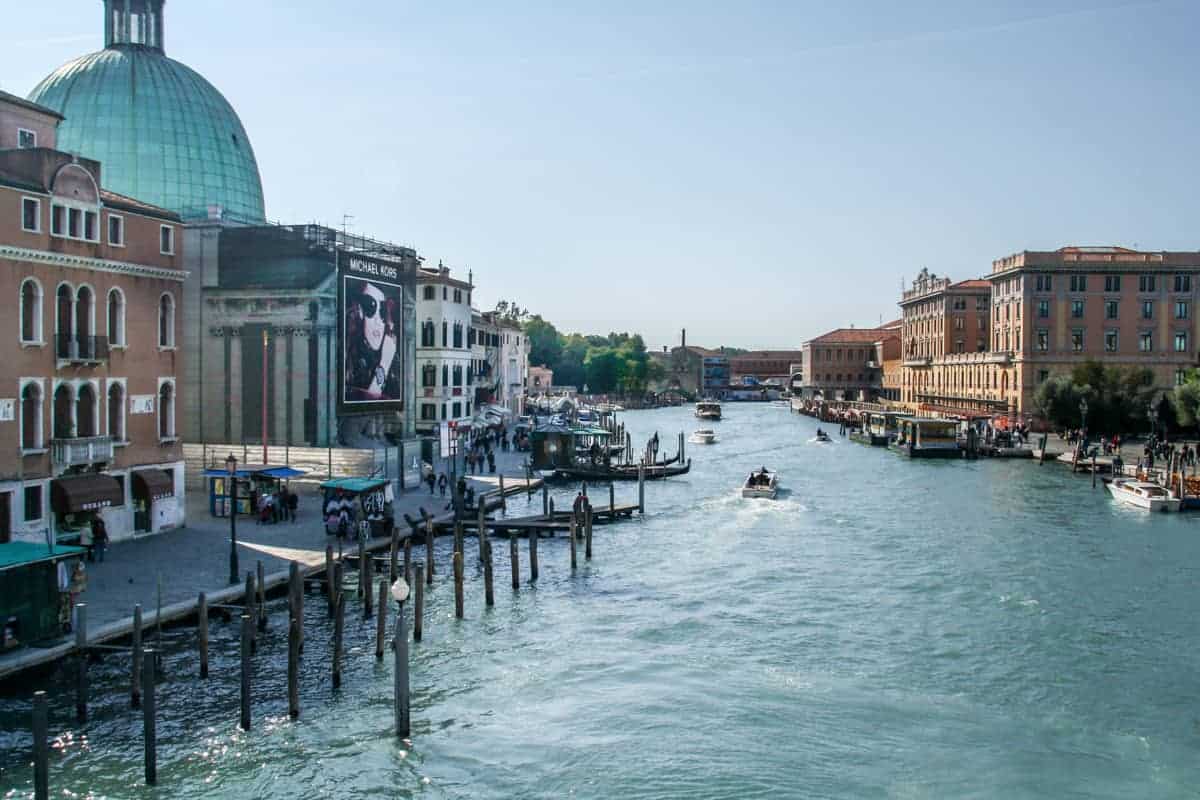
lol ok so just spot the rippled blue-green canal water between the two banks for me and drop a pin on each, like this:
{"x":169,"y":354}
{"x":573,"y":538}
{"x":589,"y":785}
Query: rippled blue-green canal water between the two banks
{"x":885,"y":629}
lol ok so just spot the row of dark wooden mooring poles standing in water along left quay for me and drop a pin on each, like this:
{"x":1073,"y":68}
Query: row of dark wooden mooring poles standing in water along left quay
{"x":418,"y":578}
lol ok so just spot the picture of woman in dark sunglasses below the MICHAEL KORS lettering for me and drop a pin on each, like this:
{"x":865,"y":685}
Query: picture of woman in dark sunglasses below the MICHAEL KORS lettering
{"x":373,"y":323}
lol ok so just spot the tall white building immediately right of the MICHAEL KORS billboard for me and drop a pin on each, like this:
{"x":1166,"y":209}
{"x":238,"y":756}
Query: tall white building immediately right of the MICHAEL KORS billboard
{"x":445,"y":376}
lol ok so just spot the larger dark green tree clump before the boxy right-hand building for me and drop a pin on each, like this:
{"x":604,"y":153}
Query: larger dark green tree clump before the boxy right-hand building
{"x":1118,"y":400}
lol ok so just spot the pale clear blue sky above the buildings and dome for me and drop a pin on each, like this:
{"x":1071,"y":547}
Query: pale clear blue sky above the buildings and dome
{"x":757,"y":172}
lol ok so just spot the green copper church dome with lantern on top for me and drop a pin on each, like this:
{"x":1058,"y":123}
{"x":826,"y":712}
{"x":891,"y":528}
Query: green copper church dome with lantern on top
{"x":163,"y":134}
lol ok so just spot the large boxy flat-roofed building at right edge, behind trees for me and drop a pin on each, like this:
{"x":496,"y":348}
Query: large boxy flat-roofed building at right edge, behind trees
{"x":1052,"y":311}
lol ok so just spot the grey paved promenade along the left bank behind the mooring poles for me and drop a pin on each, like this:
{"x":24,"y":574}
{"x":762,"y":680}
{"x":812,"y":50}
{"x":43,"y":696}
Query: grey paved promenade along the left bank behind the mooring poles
{"x":196,"y":560}
